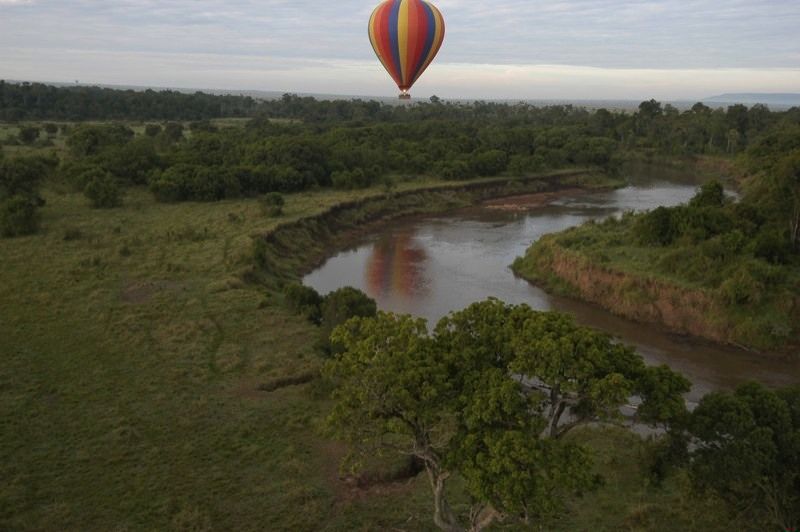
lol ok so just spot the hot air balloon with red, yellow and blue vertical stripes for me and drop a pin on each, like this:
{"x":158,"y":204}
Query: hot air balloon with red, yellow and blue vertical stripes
{"x":406,"y":35}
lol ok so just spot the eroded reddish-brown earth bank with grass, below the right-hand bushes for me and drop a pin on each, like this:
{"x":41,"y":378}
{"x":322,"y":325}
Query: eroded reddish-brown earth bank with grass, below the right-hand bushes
{"x":624,"y":281}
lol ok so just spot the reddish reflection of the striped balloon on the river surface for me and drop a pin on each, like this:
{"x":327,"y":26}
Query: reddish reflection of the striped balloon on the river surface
{"x":395,"y":266}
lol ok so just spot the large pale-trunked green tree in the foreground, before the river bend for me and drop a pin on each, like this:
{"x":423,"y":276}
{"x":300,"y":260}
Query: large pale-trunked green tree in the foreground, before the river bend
{"x":476,"y":398}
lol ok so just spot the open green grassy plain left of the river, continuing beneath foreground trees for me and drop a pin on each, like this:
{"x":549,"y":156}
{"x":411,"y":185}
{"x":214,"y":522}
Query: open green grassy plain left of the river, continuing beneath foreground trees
{"x":132,"y":355}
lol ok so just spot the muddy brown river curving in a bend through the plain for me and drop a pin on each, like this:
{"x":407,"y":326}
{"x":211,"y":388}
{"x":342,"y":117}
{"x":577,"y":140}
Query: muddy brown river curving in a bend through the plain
{"x":432,"y":265}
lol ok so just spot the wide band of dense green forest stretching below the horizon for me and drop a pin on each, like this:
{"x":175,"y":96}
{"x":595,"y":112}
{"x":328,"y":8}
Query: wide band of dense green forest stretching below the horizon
{"x":297,"y":143}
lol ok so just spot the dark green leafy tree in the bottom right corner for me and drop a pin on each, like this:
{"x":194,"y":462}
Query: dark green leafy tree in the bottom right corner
{"x":745,"y":447}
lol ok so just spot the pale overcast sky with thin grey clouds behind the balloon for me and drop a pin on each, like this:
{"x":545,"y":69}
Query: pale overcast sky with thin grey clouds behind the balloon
{"x":591,"y":49}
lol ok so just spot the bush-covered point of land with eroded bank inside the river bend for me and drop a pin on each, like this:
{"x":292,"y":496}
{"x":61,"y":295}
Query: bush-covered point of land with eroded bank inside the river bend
{"x":723,"y":269}
